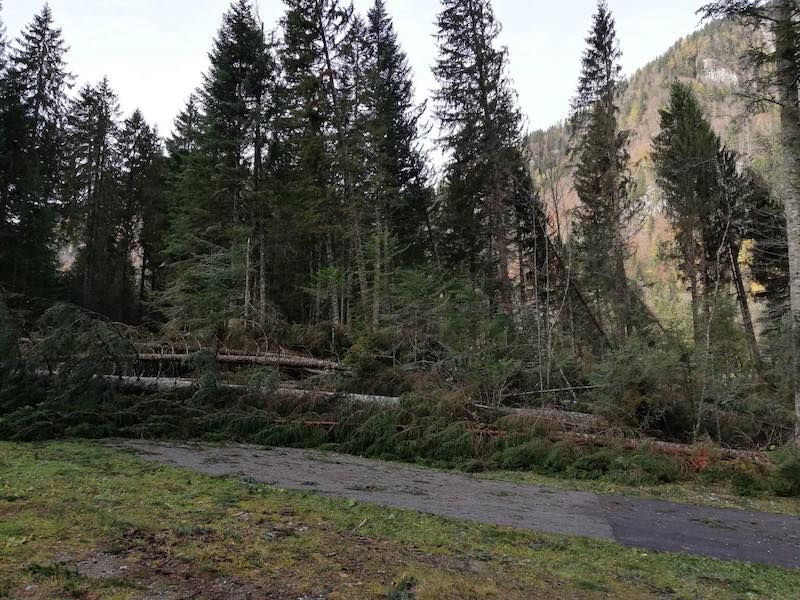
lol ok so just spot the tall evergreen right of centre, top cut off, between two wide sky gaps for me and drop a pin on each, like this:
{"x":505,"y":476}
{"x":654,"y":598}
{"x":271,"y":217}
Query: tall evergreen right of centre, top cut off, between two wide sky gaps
{"x":481,"y":132}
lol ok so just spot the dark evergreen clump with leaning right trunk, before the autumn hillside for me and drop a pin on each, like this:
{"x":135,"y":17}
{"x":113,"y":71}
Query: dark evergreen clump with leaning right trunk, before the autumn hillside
{"x":707,"y":201}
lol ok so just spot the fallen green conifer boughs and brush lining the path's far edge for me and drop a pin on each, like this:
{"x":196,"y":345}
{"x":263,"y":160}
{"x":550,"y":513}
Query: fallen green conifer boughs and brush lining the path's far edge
{"x":55,"y":393}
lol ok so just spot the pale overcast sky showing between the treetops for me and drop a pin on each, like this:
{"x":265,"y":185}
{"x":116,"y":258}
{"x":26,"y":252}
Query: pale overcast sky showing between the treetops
{"x":154,"y":51}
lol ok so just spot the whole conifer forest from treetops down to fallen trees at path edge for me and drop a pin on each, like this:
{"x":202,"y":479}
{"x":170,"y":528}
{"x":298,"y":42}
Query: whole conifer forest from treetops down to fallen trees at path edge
{"x":291,"y":266}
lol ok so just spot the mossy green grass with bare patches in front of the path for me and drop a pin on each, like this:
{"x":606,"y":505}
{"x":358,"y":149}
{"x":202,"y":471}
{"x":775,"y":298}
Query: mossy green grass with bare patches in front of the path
{"x":82,"y":521}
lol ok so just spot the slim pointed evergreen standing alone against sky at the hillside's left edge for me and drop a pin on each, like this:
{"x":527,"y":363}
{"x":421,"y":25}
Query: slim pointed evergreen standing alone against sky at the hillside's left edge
{"x":602,"y":181}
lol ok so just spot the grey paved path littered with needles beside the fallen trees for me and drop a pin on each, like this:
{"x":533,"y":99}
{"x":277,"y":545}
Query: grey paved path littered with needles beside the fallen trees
{"x":753,"y":537}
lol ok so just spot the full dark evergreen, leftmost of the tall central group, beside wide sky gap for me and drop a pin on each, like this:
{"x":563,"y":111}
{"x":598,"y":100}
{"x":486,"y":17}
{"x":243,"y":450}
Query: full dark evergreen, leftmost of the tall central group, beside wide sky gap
{"x":218,"y":195}
